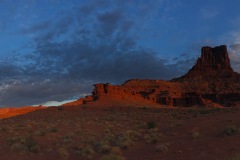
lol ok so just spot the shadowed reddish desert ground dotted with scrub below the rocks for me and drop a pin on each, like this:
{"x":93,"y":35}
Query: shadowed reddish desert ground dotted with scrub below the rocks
{"x":118,"y":133}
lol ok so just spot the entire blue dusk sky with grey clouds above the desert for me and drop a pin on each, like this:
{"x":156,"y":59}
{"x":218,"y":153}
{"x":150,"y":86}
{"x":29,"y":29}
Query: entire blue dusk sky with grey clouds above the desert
{"x":55,"y":50}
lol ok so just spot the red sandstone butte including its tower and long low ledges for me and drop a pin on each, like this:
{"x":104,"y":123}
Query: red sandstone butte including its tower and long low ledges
{"x":211,"y":82}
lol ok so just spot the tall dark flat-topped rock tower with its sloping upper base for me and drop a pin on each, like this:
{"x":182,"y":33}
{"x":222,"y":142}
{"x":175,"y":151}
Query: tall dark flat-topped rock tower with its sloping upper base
{"x":213,"y":64}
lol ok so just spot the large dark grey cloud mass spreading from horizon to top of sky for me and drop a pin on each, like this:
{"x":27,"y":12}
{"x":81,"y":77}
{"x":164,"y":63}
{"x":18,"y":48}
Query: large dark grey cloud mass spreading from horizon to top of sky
{"x":74,"y":52}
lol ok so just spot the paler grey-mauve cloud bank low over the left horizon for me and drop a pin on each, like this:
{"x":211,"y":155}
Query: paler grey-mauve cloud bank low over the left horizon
{"x":29,"y":92}
